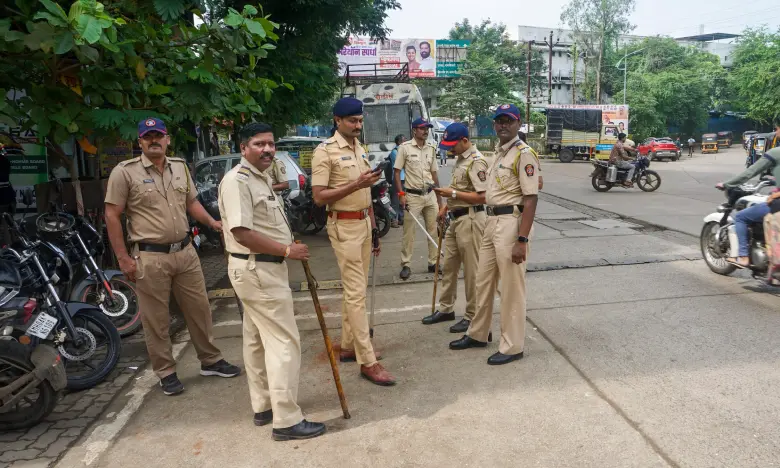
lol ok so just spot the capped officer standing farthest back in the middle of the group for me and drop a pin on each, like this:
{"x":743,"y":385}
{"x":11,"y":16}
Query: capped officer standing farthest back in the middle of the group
{"x":417,"y":157}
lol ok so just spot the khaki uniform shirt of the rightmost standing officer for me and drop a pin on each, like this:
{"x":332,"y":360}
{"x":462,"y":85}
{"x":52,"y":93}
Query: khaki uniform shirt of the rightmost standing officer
{"x":510,"y":177}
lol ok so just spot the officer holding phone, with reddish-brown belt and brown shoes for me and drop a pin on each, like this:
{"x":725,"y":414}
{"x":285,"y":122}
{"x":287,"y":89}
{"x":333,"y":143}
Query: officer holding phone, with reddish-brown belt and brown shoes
{"x":342,"y":179}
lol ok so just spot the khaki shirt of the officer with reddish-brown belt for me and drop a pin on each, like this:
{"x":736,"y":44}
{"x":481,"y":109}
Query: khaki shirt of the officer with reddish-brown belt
{"x":336,"y":163}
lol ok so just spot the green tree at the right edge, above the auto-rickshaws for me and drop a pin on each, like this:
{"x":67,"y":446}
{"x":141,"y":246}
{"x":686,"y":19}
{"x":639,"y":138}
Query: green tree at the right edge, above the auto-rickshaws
{"x":755,"y":75}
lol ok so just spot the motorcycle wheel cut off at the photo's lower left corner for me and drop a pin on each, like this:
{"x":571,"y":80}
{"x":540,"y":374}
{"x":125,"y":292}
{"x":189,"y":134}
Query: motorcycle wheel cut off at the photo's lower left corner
{"x":35,"y":405}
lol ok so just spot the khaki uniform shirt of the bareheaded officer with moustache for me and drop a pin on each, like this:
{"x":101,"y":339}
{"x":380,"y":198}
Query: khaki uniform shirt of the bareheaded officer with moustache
{"x":247,"y":199}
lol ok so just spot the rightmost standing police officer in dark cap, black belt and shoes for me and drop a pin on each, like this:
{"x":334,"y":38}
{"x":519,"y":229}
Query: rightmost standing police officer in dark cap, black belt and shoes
{"x":513,"y":186}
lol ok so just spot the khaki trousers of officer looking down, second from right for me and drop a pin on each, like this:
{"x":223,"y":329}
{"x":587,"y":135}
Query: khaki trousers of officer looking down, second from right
{"x":461,"y":246}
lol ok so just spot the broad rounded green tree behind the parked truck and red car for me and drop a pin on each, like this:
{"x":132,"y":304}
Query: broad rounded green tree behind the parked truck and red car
{"x":669,"y":85}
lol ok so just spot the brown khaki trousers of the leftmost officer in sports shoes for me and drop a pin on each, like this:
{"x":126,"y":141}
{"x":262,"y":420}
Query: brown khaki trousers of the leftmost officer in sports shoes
{"x":156,"y":275}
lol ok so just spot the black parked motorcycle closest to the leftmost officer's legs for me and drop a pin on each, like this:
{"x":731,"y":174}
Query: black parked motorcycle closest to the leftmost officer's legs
{"x":109,"y":289}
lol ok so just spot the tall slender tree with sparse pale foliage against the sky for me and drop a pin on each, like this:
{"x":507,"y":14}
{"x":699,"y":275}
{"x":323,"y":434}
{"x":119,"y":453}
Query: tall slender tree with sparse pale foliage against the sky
{"x":596,"y":25}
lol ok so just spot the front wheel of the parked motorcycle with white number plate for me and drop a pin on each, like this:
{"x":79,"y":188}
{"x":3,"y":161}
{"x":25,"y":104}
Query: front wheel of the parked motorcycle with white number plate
{"x":90,"y":363}
